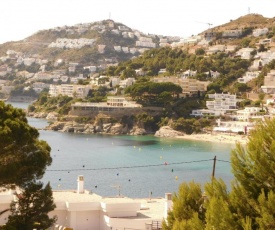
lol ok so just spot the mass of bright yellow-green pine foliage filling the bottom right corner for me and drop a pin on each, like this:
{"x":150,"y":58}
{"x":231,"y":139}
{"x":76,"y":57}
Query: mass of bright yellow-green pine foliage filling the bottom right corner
{"x":251,"y":202}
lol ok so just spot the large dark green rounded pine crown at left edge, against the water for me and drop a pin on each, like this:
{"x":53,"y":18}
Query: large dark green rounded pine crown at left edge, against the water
{"x":23,"y":156}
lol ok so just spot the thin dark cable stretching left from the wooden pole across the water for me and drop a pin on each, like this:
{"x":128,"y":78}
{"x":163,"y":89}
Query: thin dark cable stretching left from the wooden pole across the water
{"x":128,"y":167}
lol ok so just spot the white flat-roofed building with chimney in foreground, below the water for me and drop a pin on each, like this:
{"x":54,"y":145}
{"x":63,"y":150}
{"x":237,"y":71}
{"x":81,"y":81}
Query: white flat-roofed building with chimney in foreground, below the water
{"x":80,"y":210}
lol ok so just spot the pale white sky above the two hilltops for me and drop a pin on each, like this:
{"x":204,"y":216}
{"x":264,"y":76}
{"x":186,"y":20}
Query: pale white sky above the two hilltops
{"x":22,"y":18}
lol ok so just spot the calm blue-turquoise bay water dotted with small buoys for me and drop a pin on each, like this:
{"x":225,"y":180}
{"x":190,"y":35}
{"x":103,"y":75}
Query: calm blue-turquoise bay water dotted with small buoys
{"x":132,"y":166}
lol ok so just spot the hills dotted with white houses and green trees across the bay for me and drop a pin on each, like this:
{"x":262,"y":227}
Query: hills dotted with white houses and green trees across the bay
{"x":88,"y":63}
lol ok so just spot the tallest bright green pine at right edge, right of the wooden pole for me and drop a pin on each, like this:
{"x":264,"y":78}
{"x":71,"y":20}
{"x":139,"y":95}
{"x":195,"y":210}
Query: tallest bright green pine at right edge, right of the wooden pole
{"x":254,"y":170}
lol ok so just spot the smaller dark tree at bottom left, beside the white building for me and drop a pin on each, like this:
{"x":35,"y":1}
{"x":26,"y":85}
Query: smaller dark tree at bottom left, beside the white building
{"x":30,"y":209}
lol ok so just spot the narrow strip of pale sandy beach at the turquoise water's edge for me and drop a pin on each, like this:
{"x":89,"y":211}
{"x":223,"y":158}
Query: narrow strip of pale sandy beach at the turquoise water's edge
{"x":221,"y":138}
